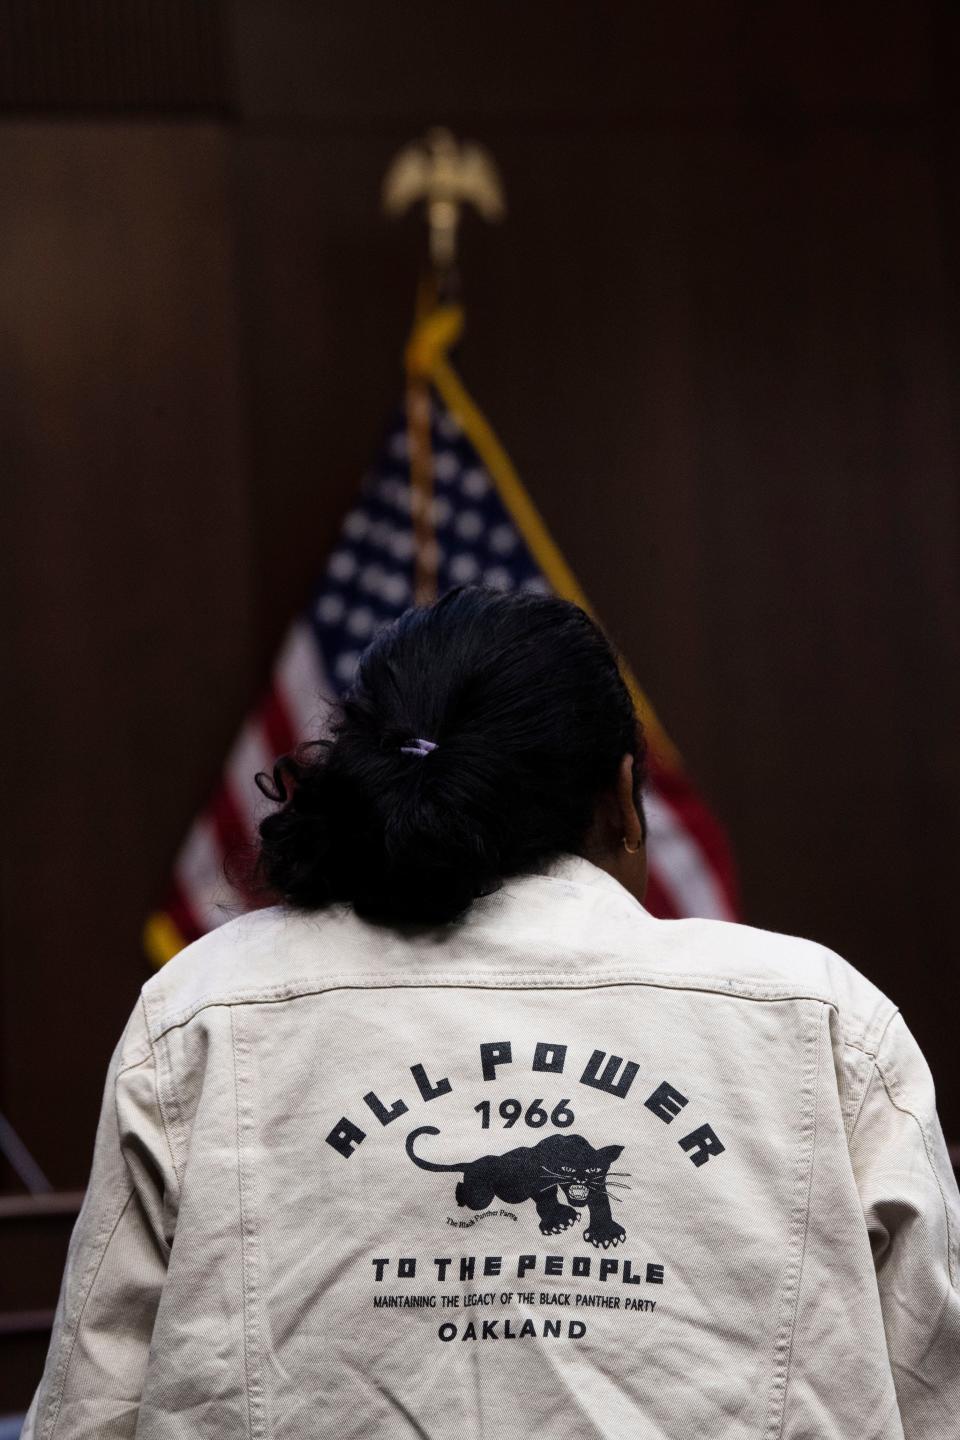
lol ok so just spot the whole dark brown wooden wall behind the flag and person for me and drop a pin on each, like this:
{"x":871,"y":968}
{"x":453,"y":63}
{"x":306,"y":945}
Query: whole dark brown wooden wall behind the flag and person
{"x":719,"y":336}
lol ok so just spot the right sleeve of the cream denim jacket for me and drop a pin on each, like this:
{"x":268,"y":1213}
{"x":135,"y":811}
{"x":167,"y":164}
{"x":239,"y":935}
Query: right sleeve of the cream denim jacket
{"x":913,"y":1216}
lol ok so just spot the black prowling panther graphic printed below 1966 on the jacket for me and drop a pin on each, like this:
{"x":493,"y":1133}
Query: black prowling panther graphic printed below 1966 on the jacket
{"x":536,"y":1173}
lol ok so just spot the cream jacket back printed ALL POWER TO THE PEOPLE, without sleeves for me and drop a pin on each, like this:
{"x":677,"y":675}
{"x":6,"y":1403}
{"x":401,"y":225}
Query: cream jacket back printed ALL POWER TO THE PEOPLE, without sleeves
{"x":569,"y":1180}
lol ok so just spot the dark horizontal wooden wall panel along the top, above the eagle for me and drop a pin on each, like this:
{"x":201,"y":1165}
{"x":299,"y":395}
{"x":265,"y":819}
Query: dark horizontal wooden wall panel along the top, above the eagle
{"x":571,"y":67}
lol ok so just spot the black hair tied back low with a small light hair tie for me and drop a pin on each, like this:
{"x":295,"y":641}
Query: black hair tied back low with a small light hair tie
{"x":530,"y":715}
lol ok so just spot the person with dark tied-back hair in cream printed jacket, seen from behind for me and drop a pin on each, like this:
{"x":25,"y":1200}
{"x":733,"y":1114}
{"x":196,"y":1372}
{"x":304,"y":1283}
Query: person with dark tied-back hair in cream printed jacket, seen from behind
{"x":457,"y":1140}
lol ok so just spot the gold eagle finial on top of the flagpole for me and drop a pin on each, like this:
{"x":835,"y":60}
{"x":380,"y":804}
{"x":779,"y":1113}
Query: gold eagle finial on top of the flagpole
{"x":445,"y":176}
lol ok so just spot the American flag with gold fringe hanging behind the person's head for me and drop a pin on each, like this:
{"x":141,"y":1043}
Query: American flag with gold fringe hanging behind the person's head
{"x":483,"y":529}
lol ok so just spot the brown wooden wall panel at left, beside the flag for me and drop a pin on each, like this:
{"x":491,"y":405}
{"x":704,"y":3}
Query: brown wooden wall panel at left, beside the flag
{"x":126,"y":578}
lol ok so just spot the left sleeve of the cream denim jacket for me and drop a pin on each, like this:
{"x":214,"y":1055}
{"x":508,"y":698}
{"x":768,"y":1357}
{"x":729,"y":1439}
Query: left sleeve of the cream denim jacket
{"x":116,"y":1264}
